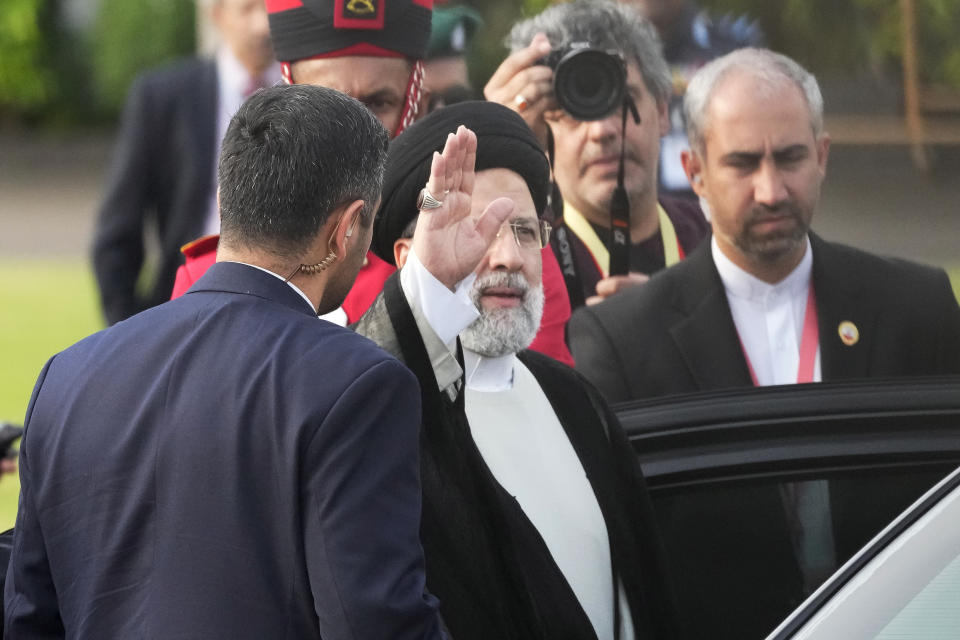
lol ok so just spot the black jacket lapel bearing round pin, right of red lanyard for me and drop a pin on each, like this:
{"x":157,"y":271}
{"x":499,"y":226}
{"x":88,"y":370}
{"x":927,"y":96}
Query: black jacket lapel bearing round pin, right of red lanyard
{"x":840,"y":304}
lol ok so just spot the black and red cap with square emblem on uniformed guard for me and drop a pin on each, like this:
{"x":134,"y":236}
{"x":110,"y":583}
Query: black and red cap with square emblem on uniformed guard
{"x":329,"y":28}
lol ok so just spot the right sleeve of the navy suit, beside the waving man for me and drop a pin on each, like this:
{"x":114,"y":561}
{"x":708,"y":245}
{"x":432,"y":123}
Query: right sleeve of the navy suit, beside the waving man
{"x":362,"y":512}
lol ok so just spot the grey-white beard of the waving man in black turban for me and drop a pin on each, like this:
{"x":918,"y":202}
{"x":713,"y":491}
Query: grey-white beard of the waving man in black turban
{"x":498,"y":332}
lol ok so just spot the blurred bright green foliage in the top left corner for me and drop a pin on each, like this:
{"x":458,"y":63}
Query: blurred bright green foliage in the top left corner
{"x":26,"y":83}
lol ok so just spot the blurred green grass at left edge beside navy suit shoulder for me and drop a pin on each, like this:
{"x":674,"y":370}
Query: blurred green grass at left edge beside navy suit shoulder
{"x":45,"y":306}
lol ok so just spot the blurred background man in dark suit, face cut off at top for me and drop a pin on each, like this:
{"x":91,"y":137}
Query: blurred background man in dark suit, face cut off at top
{"x":163,"y":179}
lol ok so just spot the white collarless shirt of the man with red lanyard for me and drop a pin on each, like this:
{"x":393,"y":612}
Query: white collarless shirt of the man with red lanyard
{"x":769,"y":317}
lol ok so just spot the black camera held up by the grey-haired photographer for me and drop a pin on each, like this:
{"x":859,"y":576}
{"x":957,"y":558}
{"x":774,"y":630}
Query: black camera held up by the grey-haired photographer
{"x":589,"y":83}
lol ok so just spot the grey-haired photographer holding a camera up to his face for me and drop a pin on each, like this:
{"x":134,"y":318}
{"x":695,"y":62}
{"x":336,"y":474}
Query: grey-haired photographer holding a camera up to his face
{"x":587,"y":152}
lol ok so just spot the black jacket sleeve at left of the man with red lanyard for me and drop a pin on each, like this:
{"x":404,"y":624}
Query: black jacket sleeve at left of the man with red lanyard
{"x":595,"y":354}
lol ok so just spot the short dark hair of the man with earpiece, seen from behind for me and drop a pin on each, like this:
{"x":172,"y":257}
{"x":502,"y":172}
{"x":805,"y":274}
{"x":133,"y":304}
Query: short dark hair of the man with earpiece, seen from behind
{"x":291,"y":155}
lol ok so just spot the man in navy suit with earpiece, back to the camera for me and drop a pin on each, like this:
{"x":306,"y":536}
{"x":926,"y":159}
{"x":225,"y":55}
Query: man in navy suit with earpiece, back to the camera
{"x":279,"y":497}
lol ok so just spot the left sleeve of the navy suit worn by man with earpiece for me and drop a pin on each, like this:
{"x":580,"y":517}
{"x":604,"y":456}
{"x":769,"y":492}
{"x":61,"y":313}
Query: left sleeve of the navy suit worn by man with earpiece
{"x":31,"y":609}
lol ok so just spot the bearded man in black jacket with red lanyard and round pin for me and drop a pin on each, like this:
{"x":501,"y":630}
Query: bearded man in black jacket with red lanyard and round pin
{"x":767,"y":301}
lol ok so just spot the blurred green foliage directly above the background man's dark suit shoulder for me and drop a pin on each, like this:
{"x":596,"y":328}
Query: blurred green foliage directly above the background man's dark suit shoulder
{"x":130,"y":37}
